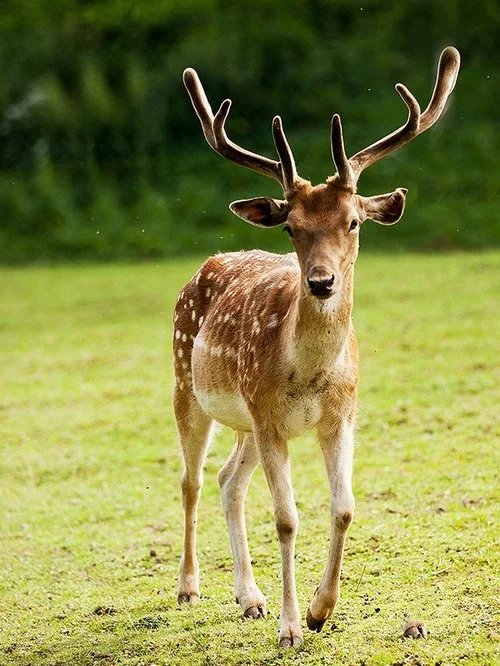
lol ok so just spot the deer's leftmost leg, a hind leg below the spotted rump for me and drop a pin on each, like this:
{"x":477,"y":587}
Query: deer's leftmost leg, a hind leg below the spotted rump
{"x":194,"y":428}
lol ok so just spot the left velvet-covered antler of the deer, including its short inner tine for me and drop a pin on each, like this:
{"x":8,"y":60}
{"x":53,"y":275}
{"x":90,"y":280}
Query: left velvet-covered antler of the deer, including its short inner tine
{"x":283,"y":171}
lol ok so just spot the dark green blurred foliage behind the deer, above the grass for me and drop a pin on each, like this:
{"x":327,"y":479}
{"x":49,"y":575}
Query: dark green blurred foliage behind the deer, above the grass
{"x":102,"y":156}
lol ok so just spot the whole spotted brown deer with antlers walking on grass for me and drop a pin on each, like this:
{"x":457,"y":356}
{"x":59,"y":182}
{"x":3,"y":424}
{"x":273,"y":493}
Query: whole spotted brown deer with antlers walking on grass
{"x":264,"y":344}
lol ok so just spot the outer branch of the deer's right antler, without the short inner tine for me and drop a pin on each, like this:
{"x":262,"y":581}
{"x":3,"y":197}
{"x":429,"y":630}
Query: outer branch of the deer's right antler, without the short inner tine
{"x":447,"y":72}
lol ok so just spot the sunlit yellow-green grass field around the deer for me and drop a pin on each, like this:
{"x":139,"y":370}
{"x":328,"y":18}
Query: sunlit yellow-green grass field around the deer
{"x":90,"y":504}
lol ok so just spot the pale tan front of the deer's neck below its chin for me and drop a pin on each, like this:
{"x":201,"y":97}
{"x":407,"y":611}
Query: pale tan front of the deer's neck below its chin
{"x":321,"y":329}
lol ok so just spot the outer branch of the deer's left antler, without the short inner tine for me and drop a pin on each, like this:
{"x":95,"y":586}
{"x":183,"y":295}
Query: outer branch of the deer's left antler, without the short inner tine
{"x":215,"y":133}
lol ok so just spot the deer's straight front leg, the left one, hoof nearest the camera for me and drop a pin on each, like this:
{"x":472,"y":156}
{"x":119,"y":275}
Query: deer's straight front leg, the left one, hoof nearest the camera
{"x":274,"y":459}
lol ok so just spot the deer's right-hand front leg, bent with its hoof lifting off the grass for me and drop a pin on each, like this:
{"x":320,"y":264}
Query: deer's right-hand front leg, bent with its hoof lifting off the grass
{"x":337,"y":447}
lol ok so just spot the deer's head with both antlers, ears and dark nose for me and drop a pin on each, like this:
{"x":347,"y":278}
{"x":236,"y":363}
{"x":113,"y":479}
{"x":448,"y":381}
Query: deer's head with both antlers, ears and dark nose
{"x":323,"y":221}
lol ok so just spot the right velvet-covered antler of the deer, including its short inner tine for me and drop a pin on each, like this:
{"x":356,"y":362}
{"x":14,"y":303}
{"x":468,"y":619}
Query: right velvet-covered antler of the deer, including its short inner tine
{"x":349,"y":170}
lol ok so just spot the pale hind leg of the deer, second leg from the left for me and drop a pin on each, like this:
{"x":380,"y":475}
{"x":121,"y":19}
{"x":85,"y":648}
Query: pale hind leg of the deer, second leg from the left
{"x":234,"y":478}
